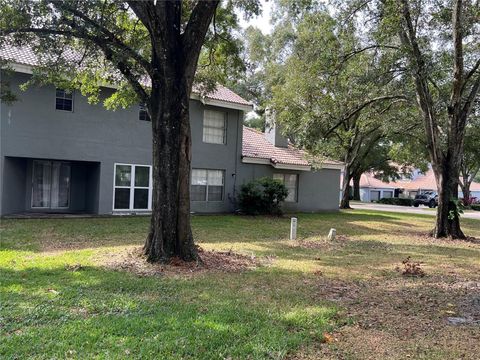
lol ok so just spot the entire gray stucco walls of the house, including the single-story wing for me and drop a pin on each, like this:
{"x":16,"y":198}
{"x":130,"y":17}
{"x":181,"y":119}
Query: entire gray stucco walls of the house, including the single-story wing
{"x":93,"y":139}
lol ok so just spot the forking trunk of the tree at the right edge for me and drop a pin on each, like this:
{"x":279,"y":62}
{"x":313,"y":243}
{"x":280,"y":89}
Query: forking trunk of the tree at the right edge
{"x":445,"y":145}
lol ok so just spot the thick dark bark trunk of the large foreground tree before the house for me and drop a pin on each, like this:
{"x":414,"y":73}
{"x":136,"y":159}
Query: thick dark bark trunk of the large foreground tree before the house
{"x":174,"y":60}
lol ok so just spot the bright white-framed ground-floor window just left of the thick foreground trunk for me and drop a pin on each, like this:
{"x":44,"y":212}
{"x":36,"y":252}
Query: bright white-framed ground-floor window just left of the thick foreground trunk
{"x":132,"y":190}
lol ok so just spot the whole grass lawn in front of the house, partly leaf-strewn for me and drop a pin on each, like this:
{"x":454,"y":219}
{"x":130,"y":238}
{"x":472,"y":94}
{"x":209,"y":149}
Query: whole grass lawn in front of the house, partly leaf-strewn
{"x":308,"y":299}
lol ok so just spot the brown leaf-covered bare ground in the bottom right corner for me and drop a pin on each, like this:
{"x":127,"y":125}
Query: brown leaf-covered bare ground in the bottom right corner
{"x":402,"y":318}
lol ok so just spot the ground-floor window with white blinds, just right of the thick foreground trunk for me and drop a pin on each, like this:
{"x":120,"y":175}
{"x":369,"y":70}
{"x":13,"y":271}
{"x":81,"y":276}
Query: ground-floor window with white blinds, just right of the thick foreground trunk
{"x":207,"y":185}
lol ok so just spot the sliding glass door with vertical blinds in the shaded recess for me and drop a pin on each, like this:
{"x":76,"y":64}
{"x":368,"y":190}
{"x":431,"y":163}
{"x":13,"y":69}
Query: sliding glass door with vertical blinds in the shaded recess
{"x":50,"y":184}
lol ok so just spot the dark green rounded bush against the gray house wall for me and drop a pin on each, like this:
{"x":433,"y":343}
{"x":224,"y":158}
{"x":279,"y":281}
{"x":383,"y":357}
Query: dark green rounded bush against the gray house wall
{"x":262,"y":196}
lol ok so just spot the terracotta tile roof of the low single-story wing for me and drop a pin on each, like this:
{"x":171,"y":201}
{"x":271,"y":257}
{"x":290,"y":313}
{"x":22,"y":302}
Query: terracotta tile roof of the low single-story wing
{"x":255,"y":145}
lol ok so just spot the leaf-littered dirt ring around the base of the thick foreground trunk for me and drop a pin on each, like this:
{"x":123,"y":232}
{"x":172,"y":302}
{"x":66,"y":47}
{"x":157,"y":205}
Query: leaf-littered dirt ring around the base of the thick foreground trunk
{"x":134,"y":261}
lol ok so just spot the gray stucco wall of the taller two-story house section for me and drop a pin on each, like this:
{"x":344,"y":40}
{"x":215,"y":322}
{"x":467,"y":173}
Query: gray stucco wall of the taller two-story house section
{"x":32,"y":128}
